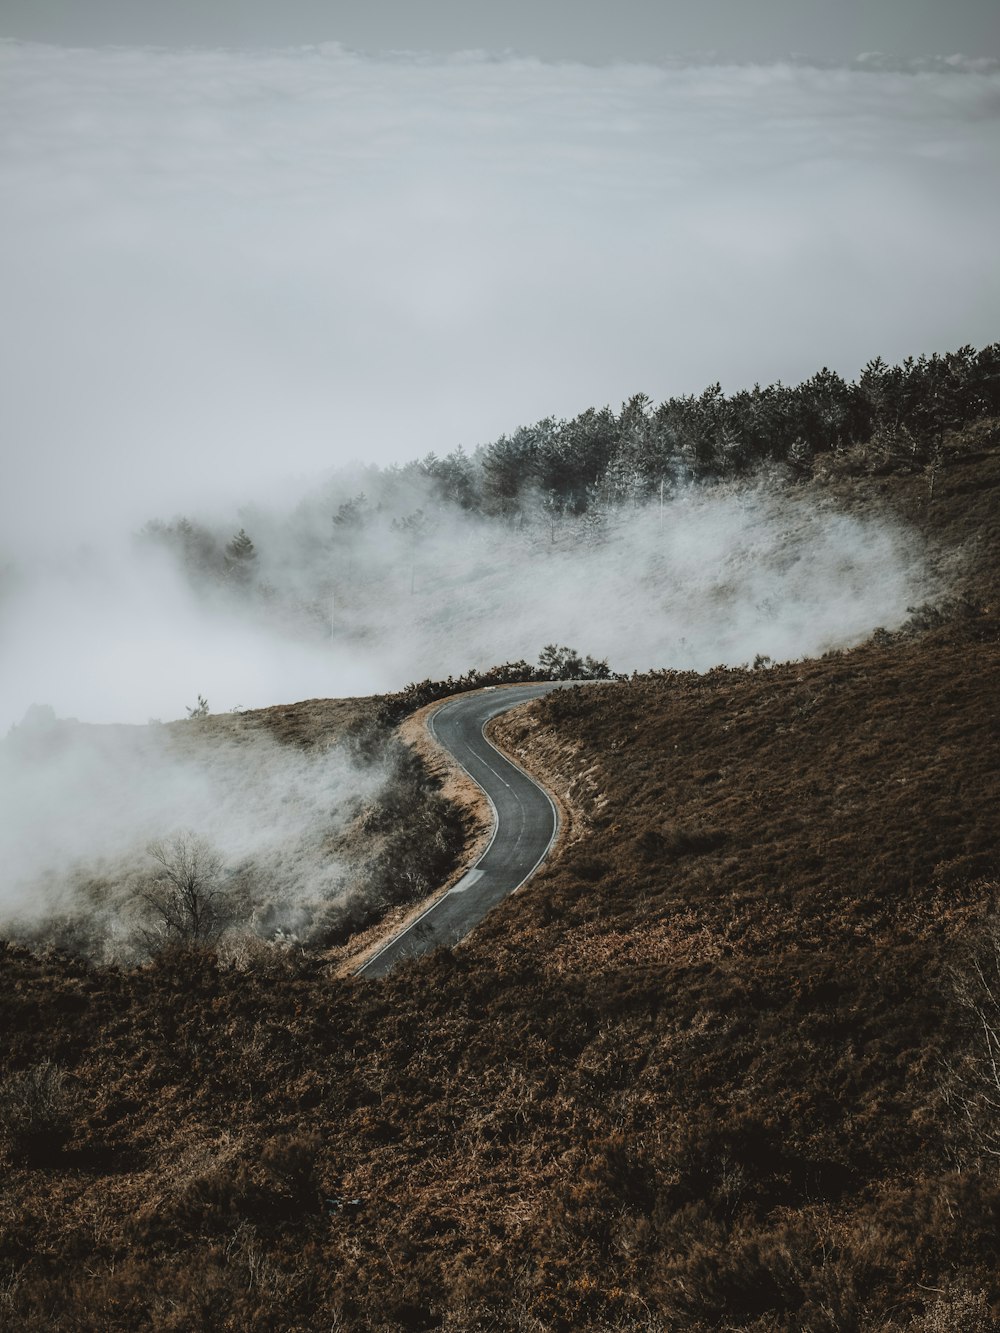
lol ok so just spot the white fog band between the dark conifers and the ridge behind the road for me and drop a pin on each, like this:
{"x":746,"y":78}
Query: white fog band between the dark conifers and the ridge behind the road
{"x":403,"y":587}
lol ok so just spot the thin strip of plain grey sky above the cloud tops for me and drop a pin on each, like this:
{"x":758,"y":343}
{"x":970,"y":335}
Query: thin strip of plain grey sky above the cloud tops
{"x":594,"y":31}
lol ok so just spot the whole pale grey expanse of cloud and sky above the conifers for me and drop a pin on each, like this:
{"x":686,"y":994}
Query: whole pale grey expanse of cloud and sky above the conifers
{"x":225,"y":269}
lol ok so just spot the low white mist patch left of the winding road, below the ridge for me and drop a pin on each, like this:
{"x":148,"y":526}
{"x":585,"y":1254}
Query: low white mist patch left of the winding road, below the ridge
{"x":82,"y":804}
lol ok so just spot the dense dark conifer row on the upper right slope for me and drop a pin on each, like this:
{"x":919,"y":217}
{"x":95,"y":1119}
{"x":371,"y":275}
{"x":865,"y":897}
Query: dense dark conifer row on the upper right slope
{"x":605,"y":458}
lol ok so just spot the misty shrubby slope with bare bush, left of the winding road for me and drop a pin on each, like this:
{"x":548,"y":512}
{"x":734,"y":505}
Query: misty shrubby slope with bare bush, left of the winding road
{"x":297,"y":826}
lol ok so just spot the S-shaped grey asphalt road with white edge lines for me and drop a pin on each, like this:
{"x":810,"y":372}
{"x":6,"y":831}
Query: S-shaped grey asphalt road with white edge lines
{"x":525,"y":827}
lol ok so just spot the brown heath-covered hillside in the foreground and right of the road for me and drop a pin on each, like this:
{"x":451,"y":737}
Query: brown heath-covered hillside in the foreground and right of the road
{"x":718,"y":1067}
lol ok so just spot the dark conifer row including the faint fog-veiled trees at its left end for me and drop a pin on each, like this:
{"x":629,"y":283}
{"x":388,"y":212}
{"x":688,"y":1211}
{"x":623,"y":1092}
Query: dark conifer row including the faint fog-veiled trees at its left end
{"x":602,"y":459}
